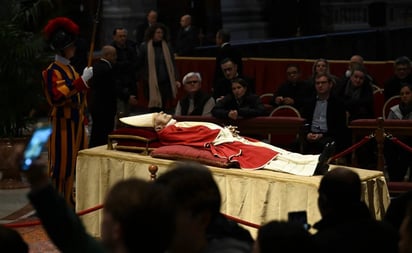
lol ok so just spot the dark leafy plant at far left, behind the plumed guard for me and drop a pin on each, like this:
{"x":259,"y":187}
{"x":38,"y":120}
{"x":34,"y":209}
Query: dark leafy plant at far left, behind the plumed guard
{"x":22,"y":59}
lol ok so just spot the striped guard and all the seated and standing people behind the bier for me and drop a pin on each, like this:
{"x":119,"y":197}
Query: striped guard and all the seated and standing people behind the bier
{"x":327,"y":102}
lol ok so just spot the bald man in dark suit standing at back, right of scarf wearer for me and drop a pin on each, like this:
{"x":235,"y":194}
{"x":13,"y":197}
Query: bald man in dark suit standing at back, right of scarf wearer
{"x":187,"y":37}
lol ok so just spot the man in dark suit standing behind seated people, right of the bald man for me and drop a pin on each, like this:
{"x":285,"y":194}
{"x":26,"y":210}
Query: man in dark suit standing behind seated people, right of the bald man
{"x":226,"y":50}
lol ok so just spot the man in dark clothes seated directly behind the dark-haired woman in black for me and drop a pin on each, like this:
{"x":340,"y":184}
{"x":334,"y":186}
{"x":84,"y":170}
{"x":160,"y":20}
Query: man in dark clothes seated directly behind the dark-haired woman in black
{"x":230,"y":71}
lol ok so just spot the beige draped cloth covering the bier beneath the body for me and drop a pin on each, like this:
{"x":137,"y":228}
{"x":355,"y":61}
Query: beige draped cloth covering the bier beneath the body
{"x":257,"y":196}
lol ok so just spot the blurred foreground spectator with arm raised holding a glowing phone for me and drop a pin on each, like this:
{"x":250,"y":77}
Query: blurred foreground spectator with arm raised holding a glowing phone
{"x":137,"y":215}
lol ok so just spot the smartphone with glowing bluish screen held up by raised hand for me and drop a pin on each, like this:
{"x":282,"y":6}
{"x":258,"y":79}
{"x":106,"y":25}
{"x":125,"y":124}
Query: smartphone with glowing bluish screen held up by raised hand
{"x":36,"y":145}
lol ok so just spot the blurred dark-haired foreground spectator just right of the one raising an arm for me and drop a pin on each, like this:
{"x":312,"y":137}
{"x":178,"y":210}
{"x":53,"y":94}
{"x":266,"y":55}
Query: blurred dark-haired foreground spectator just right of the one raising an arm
{"x":200,"y":225}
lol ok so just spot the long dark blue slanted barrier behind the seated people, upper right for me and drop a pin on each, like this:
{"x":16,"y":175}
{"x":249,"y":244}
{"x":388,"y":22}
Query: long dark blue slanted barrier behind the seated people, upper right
{"x":372,"y":44}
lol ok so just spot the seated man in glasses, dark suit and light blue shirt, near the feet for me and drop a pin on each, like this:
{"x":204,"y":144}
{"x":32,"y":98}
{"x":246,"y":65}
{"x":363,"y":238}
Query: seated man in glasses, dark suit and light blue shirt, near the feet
{"x":325,"y":118}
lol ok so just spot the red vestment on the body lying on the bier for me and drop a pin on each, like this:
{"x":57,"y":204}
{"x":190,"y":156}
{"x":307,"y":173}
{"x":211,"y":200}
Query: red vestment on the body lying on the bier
{"x":248,"y":156}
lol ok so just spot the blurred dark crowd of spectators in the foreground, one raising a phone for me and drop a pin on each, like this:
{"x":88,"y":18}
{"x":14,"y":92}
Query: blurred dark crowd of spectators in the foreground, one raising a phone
{"x":180,"y":212}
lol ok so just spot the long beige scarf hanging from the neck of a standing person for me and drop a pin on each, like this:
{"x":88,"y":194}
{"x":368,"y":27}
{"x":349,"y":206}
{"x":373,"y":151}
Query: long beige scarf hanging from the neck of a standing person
{"x":155,"y":98}
